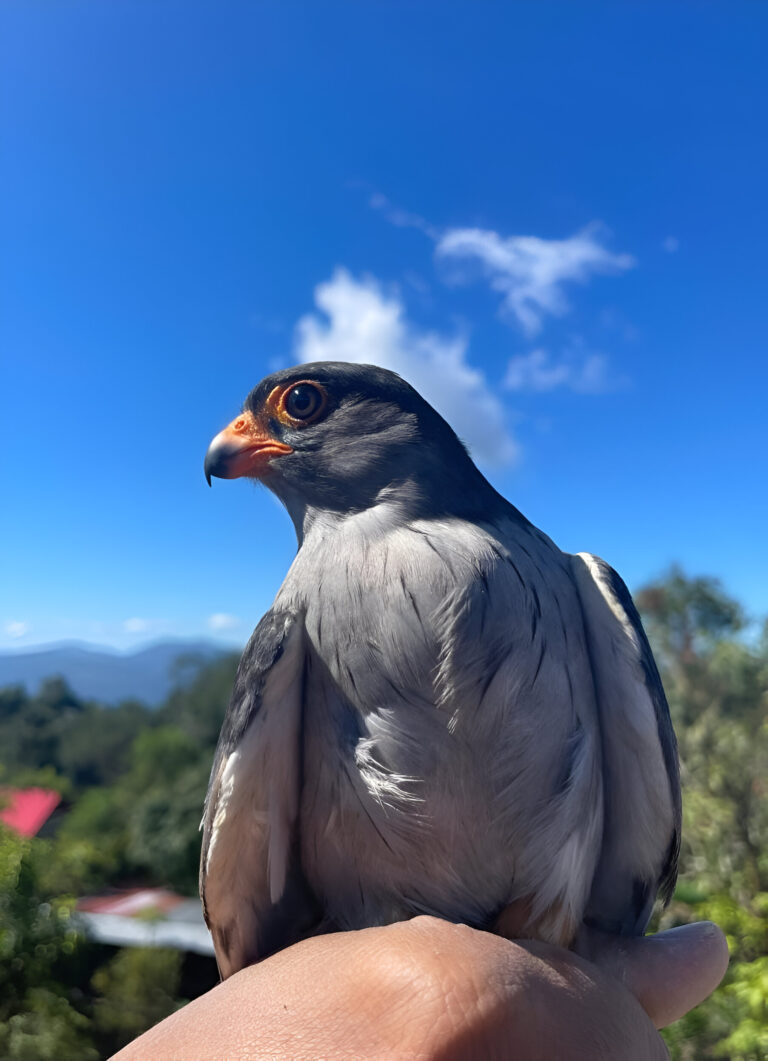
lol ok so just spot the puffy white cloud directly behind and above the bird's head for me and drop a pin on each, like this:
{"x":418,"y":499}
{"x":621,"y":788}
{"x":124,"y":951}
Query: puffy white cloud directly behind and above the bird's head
{"x":366,"y":326}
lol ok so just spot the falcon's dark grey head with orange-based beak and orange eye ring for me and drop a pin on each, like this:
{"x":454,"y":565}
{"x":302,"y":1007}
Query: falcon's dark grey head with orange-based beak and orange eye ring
{"x":341,"y":438}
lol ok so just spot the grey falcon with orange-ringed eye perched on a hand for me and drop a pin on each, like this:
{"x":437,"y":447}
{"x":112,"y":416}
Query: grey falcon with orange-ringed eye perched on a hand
{"x":442,"y":712}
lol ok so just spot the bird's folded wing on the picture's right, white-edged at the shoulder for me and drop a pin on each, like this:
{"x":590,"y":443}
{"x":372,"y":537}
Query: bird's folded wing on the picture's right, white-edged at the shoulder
{"x":641,"y":774}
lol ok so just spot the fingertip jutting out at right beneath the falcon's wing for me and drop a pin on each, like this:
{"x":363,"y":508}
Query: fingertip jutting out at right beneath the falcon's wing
{"x":669,"y":973}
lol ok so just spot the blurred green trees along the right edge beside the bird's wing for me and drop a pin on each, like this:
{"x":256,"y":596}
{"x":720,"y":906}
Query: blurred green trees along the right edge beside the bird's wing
{"x":718,"y":685}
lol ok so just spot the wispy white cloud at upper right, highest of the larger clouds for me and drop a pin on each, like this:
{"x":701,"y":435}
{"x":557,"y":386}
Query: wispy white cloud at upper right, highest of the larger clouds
{"x":530,"y":272}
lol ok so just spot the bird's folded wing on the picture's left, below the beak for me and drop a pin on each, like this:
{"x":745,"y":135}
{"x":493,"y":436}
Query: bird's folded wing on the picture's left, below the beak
{"x":255,"y":897}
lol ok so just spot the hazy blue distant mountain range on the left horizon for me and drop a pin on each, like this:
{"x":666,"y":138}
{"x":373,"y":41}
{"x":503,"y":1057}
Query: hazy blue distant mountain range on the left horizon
{"x":97,"y":673}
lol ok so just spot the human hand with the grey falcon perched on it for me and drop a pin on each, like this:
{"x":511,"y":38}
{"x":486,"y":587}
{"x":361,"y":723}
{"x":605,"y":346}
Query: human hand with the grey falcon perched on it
{"x":430,"y":989}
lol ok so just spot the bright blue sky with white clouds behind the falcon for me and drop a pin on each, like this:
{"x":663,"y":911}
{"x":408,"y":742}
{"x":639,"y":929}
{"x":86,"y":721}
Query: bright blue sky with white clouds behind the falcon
{"x":551,"y":217}
